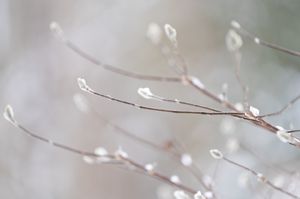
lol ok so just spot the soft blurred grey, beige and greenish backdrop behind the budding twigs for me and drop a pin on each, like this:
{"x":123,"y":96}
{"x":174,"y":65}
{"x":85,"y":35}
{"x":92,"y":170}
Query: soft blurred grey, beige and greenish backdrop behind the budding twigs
{"x":38,"y":78}
